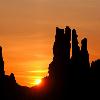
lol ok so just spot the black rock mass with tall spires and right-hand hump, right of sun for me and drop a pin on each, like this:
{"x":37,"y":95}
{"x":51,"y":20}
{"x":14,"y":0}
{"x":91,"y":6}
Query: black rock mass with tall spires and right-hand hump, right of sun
{"x":70,"y":72}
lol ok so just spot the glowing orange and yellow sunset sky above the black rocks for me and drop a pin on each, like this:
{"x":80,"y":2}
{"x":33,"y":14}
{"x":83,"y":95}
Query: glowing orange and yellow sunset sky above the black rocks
{"x":27,"y":29}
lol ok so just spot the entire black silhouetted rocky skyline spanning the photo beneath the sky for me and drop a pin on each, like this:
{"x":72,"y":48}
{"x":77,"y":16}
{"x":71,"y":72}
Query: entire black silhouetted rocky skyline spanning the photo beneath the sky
{"x":70,"y":74}
